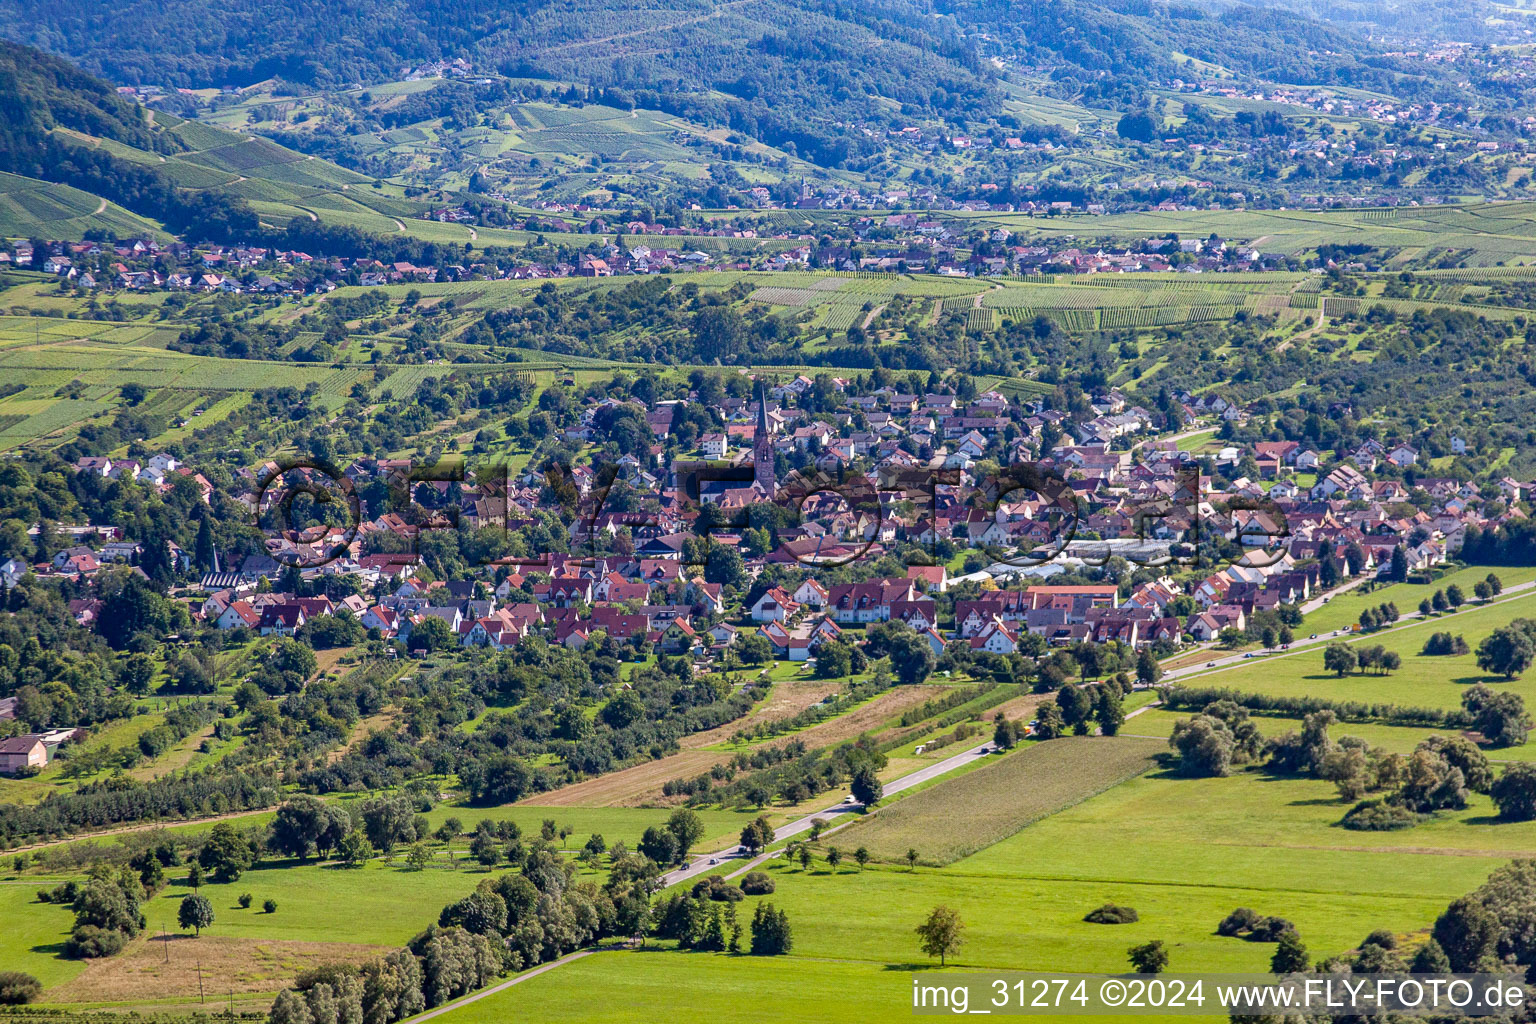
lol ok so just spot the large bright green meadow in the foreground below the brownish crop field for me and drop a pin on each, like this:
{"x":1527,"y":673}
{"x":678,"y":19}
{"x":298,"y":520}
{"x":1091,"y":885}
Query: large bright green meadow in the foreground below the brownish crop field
{"x":1182,"y":853}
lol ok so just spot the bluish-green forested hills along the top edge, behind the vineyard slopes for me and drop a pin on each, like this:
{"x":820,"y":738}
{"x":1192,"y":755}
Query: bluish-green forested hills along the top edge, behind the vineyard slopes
{"x":792,"y":74}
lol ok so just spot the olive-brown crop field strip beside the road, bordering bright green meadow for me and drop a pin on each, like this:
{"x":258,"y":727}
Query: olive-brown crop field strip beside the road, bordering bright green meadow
{"x":998,"y":801}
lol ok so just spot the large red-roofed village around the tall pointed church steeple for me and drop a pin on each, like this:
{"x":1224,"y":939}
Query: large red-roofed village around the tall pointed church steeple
{"x":1288,"y":524}
